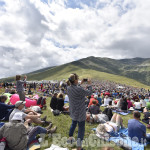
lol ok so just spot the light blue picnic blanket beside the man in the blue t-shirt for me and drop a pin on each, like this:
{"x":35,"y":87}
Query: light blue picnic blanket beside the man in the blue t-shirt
{"x":122,"y":140}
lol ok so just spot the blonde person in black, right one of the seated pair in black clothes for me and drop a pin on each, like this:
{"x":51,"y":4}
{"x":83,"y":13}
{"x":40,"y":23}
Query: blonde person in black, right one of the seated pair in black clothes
{"x":60,"y":103}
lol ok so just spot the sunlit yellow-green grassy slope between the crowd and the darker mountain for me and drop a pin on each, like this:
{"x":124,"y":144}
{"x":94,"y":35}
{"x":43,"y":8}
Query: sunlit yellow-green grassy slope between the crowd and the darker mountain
{"x":84,"y":73}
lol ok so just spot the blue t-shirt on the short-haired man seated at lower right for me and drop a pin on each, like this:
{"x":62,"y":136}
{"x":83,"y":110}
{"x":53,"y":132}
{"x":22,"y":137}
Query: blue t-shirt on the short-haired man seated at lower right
{"x":136,"y":129}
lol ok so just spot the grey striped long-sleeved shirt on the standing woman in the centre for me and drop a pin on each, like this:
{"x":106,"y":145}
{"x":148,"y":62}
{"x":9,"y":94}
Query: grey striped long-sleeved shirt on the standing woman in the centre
{"x":77,"y":106}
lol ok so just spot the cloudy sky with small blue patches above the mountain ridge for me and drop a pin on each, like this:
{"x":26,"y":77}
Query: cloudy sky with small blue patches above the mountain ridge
{"x":35,"y":34}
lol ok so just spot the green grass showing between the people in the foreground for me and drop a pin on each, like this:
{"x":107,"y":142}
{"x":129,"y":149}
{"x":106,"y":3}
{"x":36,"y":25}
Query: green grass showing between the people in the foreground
{"x":63,"y":123}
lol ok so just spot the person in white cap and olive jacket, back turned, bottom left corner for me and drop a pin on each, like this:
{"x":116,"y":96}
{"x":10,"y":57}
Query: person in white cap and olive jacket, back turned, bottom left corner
{"x":17,"y":128}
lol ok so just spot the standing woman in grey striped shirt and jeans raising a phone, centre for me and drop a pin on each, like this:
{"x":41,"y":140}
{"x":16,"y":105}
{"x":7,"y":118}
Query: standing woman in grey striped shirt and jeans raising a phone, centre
{"x":77,"y":107}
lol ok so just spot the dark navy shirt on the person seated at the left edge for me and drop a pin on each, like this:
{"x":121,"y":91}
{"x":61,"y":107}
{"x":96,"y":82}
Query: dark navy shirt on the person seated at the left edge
{"x":4,"y":109}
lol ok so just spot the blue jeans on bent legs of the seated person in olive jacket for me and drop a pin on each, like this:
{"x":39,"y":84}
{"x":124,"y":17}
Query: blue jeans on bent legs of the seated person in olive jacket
{"x":34,"y":132}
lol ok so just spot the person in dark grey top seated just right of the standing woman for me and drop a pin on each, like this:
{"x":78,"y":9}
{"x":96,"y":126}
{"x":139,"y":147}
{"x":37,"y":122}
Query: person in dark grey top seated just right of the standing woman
{"x":94,"y":109}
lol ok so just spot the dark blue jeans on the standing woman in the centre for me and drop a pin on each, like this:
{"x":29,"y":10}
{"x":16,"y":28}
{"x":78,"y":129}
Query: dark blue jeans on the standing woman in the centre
{"x":81,"y":130}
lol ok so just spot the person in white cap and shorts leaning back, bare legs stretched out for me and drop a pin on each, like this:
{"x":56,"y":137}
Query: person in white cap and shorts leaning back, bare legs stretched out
{"x":28,"y":115}
